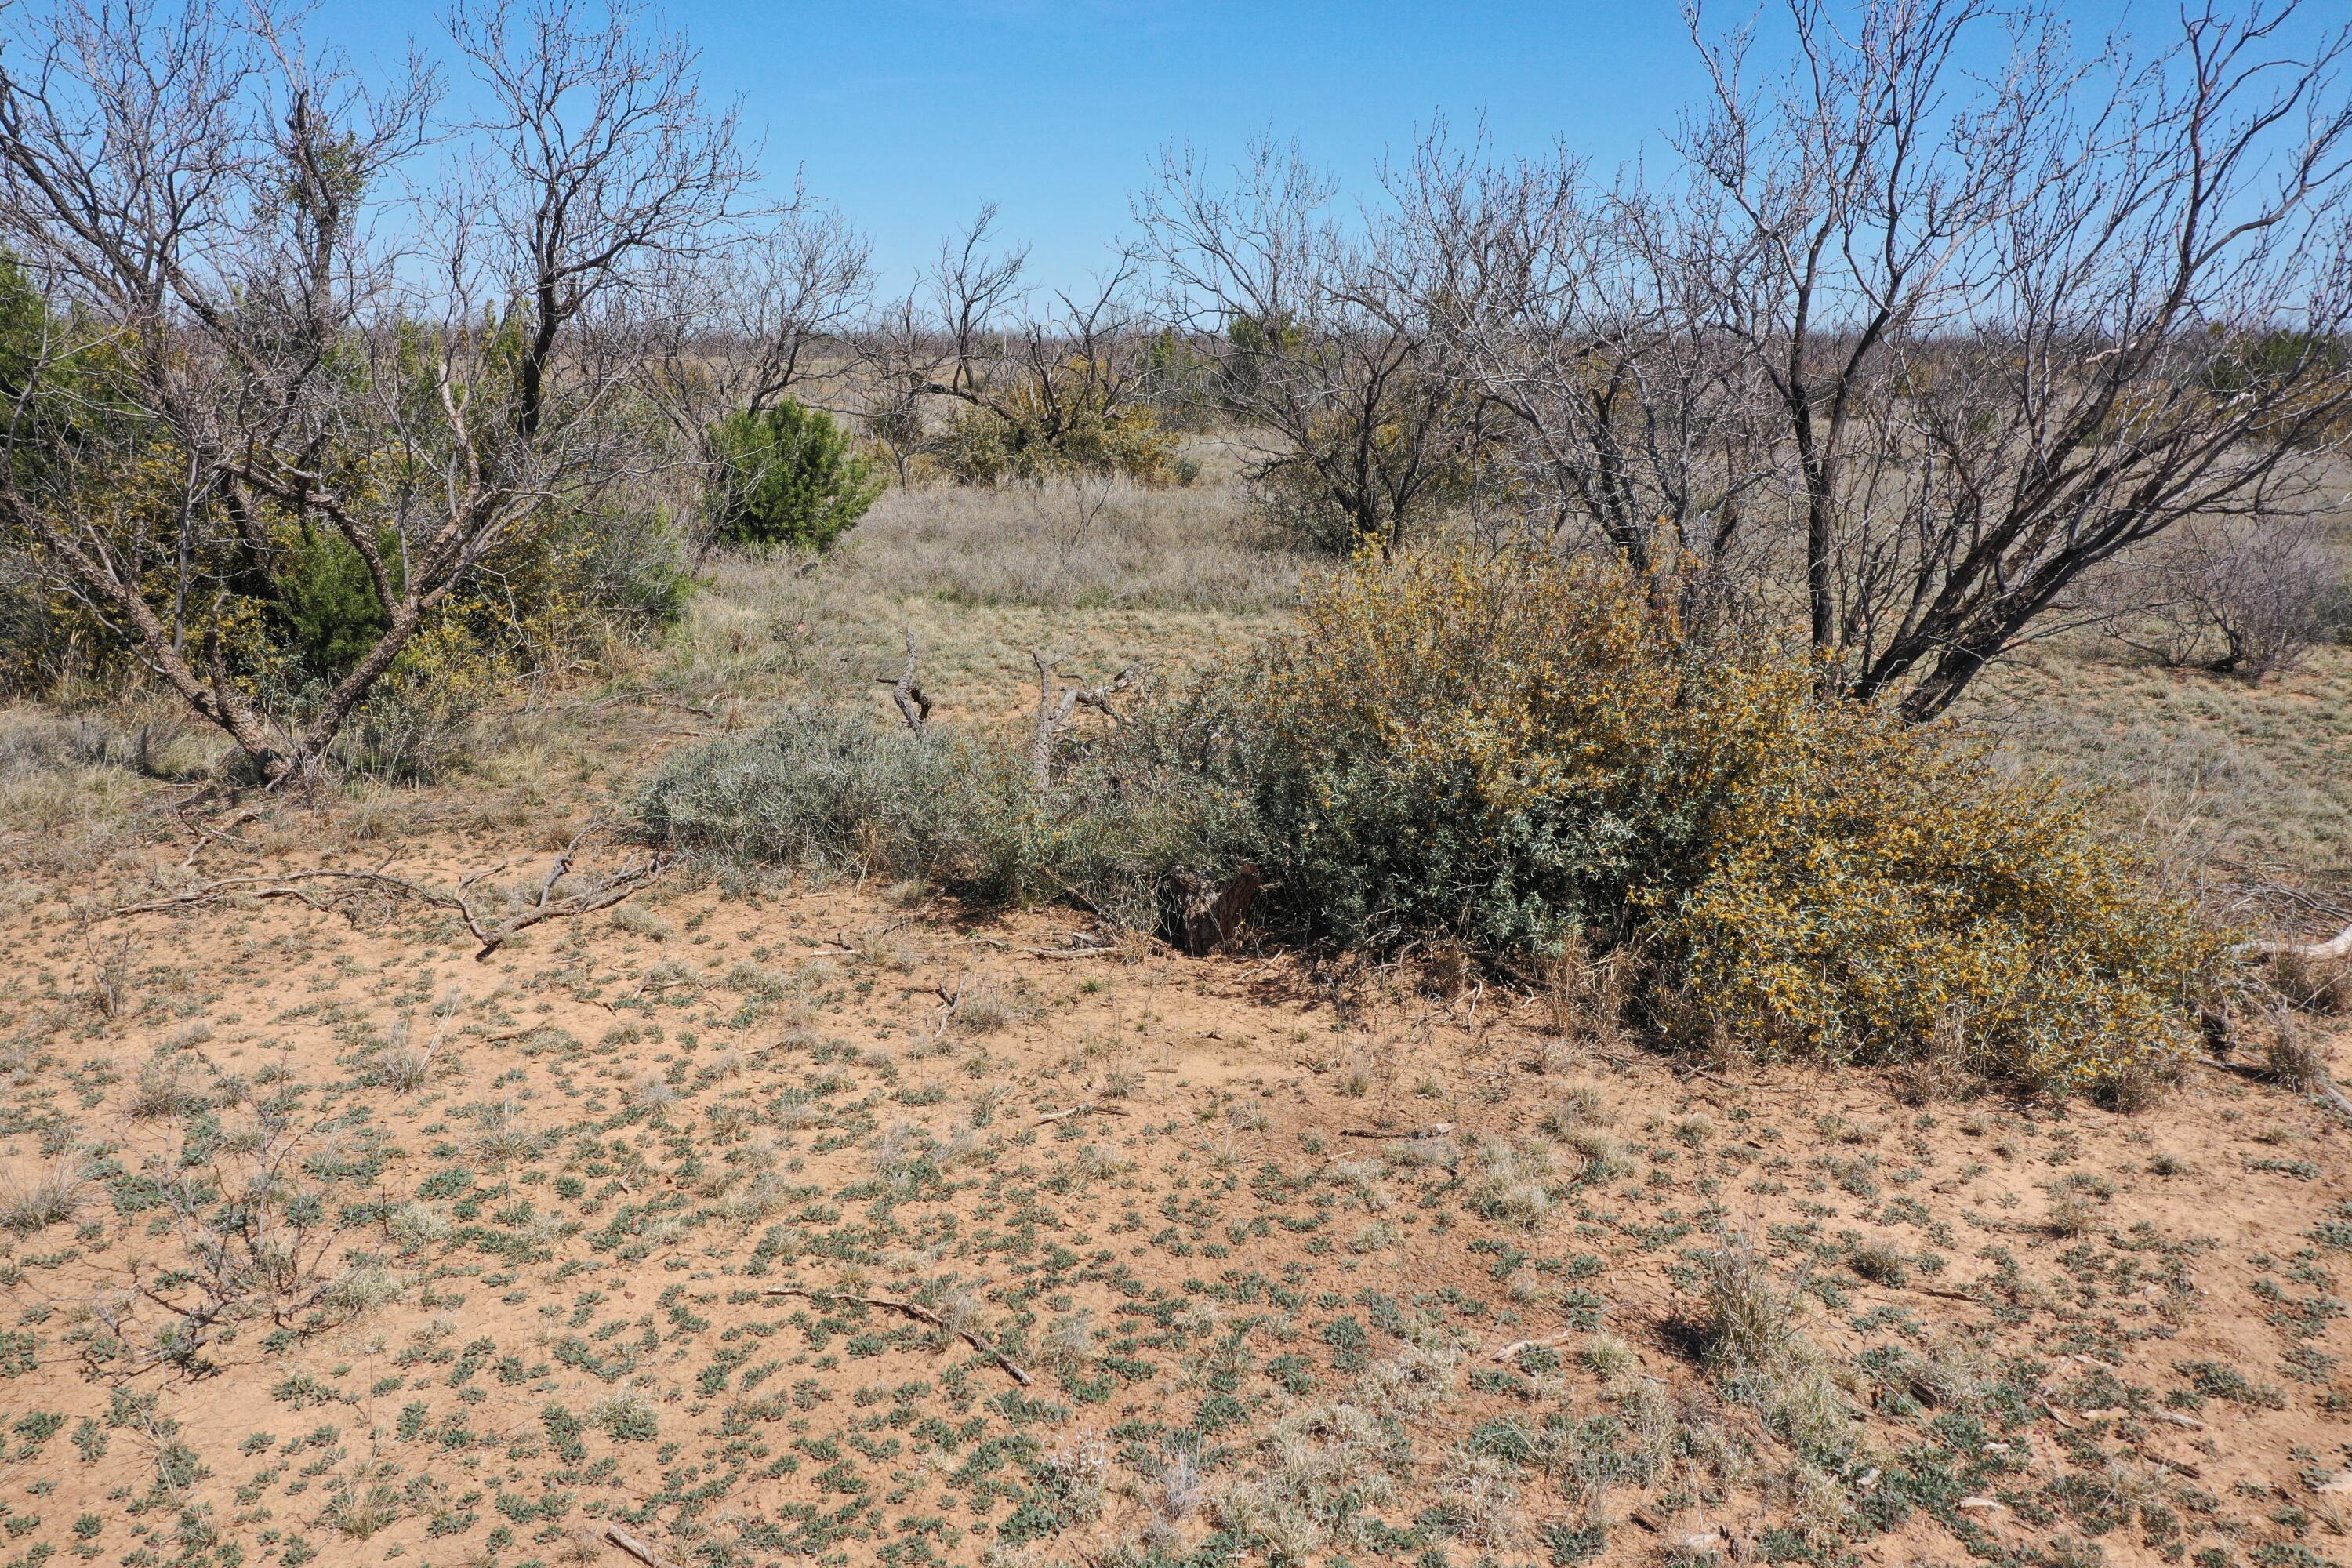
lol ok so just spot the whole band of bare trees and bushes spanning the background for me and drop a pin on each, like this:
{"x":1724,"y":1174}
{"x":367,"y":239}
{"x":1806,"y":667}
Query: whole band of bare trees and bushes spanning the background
{"x":316,"y":377}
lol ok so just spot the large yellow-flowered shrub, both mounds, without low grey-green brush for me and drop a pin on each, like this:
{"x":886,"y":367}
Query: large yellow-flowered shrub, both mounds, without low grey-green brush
{"x":1523,"y":753}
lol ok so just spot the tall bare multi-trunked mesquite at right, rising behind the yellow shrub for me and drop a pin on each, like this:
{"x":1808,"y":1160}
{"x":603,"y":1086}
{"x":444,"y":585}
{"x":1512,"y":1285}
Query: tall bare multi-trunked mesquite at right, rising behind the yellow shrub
{"x":2014,"y":328}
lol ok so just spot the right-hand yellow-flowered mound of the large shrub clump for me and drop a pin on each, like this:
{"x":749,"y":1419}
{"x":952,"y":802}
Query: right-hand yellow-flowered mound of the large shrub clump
{"x":1871,"y":894}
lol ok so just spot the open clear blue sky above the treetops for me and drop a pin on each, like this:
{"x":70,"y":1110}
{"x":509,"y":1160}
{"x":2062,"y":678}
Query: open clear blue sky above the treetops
{"x":909,"y":114}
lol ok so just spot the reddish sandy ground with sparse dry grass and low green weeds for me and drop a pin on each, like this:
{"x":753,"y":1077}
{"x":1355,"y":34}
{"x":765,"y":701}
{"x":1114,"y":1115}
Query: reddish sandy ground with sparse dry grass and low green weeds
{"x":326,"y":1242}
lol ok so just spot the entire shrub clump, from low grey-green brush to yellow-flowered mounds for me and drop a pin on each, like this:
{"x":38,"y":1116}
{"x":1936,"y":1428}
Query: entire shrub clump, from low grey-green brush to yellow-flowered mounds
{"x":1528,"y":756}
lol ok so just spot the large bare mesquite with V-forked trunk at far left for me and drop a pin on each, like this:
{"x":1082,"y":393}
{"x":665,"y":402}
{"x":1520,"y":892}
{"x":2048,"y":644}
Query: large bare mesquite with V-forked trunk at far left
{"x":283,"y":302}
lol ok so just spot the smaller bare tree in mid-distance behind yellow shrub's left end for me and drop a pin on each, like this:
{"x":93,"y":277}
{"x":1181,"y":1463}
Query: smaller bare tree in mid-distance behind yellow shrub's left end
{"x":1328,"y":351}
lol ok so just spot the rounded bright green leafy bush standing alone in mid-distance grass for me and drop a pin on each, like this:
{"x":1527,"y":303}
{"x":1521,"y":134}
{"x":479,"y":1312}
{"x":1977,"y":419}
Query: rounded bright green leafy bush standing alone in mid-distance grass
{"x":787,"y":478}
